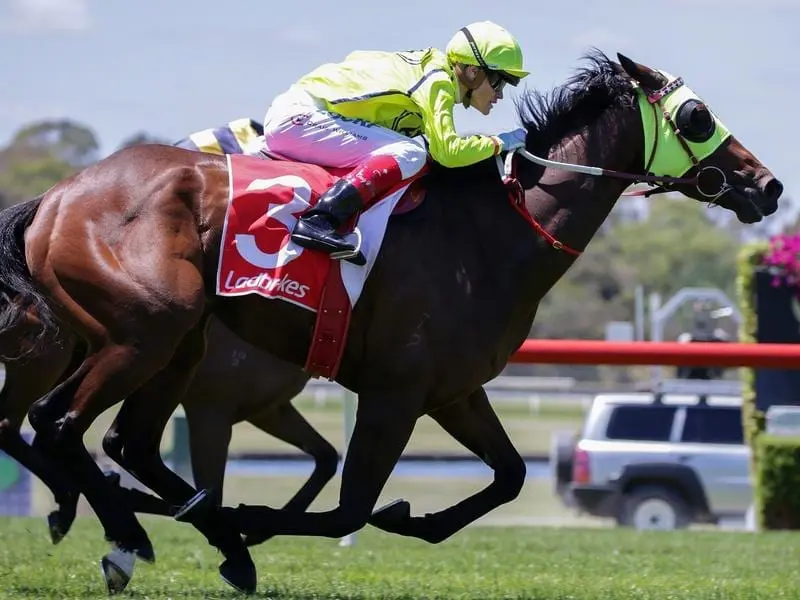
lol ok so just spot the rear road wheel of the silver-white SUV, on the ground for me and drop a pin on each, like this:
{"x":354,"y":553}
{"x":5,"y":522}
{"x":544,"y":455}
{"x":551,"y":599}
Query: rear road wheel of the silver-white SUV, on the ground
{"x":647,"y":508}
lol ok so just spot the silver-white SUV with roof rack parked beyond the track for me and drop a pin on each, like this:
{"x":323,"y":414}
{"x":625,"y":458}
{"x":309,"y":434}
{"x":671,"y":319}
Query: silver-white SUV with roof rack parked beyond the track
{"x":662,"y":461}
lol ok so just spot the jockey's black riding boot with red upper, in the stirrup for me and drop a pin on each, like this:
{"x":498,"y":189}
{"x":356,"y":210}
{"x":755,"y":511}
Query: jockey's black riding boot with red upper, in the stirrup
{"x":318,"y":228}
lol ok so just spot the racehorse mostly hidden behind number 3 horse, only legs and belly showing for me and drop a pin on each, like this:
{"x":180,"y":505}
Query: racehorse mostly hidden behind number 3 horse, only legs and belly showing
{"x":259,"y":387}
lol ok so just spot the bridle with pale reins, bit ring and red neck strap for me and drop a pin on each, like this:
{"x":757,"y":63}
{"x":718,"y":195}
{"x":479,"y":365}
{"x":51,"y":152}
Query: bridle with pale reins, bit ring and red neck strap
{"x":660,"y":183}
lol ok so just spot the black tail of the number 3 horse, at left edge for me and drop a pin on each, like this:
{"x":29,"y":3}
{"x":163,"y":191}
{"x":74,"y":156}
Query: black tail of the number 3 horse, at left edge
{"x":18,"y":295}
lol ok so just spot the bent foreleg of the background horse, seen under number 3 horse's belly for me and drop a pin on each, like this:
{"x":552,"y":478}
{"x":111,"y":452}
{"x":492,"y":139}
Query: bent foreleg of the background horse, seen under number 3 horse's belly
{"x":288,"y":425}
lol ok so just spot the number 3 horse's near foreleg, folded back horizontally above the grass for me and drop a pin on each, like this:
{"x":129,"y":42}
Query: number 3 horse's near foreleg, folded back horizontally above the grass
{"x":384,"y":423}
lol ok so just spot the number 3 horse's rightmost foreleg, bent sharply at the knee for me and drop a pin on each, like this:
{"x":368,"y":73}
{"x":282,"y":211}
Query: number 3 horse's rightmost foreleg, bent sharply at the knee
{"x":474,"y":423}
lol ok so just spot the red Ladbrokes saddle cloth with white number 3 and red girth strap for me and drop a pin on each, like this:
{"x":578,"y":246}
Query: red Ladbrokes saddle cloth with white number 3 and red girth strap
{"x":257,"y":257}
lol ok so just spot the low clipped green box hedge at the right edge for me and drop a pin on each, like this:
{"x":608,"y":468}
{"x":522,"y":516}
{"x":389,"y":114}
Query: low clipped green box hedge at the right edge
{"x":778,"y":482}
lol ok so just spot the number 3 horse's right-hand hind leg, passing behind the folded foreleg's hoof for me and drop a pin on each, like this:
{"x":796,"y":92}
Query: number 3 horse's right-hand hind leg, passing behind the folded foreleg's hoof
{"x":135,"y":445}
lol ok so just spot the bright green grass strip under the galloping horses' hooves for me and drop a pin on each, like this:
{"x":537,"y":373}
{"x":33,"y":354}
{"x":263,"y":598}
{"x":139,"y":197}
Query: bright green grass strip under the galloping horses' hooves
{"x":480,"y":563}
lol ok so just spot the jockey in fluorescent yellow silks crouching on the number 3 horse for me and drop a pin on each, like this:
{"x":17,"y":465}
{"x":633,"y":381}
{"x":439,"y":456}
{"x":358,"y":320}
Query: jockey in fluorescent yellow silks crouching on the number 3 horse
{"x":362,"y":114}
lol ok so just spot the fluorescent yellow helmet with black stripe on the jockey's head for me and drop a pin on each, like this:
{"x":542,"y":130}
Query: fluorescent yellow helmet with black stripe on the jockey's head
{"x":487,"y":45}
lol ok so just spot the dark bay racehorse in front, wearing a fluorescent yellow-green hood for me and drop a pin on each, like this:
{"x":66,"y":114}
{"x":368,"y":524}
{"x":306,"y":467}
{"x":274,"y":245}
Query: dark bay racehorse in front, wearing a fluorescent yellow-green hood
{"x":126,"y":253}
